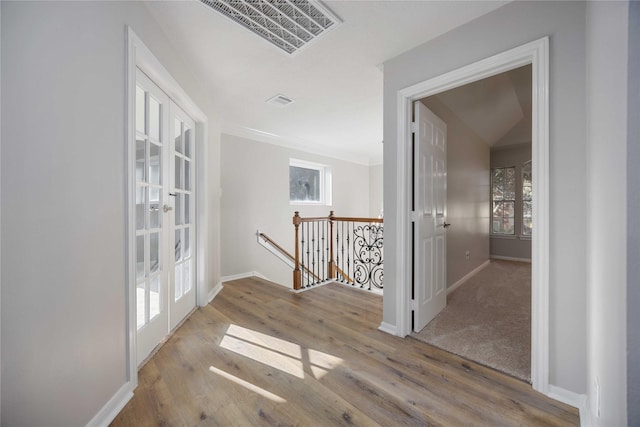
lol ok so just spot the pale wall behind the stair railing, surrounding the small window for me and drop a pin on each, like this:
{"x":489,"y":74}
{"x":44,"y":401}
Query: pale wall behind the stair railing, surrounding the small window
{"x":255,"y":182}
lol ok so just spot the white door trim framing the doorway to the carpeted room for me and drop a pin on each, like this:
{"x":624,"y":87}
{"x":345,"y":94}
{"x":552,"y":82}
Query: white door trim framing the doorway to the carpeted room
{"x":537,"y":54}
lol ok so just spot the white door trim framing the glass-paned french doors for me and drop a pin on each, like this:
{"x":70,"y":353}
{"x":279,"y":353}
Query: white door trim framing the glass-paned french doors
{"x":137,"y":55}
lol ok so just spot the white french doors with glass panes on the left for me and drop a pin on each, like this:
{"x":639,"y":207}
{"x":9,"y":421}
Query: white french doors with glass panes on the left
{"x":165,"y":201}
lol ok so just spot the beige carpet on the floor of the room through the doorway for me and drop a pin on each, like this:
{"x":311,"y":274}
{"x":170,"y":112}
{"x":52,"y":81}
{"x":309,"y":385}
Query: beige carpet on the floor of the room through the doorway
{"x":488,"y":319}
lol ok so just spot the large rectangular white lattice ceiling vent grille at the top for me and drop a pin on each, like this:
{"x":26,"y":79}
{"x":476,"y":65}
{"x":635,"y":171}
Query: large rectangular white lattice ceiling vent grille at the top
{"x":289,"y":24}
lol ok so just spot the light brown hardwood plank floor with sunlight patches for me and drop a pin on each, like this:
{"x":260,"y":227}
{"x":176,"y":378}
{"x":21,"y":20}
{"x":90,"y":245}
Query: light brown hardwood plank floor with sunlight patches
{"x":262,"y":355}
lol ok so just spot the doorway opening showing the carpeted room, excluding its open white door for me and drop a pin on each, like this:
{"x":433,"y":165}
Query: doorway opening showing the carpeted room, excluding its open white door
{"x":487,"y":317}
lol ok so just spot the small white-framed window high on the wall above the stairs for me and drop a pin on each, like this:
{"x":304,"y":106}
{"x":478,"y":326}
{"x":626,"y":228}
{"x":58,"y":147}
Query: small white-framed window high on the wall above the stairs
{"x":309,"y":183}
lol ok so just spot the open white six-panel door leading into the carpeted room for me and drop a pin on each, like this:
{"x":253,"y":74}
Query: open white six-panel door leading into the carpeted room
{"x":430,"y":187}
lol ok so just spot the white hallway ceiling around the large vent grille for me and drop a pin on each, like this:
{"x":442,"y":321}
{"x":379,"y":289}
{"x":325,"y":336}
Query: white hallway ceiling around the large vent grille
{"x":336,"y":83}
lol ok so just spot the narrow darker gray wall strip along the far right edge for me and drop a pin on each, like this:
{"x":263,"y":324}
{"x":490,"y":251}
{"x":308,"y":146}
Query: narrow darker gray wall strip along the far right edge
{"x":633,"y":219}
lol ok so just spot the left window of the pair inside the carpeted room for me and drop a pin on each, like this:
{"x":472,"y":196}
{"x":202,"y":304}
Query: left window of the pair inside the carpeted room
{"x":503,"y":198}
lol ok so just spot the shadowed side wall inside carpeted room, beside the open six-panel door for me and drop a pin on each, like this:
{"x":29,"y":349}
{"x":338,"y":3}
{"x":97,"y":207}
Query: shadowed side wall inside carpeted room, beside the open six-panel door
{"x":467,"y":194}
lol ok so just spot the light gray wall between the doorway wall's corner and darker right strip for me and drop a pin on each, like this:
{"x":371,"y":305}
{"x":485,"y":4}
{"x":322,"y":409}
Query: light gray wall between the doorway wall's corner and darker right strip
{"x":607,"y":37}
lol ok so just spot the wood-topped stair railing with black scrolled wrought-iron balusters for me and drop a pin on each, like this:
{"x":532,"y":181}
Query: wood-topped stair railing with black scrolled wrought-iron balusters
{"x":344,"y":249}
